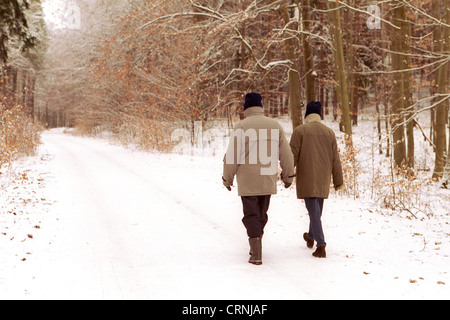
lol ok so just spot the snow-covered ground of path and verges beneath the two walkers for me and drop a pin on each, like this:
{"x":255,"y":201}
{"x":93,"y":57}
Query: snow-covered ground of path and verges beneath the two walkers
{"x":86,"y":219}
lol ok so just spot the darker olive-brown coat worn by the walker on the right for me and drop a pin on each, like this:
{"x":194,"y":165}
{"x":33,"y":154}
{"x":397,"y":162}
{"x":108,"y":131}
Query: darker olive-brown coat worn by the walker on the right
{"x":316,"y":158}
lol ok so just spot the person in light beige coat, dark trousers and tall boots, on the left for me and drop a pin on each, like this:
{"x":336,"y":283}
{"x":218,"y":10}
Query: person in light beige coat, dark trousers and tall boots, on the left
{"x":256,"y":146}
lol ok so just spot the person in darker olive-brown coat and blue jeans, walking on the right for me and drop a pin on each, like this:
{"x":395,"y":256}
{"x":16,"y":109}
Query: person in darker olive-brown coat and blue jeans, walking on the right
{"x":317,"y":160}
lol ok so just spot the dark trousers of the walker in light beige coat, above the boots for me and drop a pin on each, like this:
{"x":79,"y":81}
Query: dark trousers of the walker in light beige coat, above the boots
{"x":255,"y":214}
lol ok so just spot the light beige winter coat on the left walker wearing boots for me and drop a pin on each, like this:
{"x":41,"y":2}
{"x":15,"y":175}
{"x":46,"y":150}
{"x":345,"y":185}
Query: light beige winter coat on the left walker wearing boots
{"x":250,"y":158}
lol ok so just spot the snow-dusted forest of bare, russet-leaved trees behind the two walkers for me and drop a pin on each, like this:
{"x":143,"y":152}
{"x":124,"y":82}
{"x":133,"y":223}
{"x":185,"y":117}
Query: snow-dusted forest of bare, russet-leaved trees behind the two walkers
{"x":139,"y":68}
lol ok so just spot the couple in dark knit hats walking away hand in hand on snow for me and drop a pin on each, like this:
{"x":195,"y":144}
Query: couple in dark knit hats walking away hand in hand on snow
{"x":312,"y":151}
